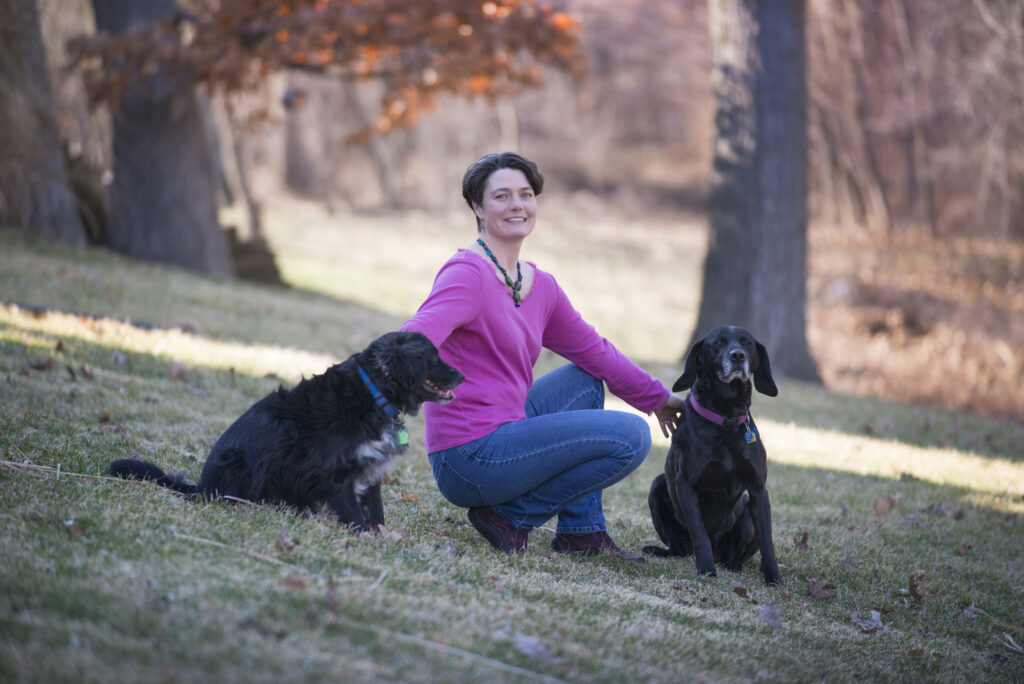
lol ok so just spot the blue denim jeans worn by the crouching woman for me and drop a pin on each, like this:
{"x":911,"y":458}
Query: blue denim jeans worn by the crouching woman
{"x":557,"y":462}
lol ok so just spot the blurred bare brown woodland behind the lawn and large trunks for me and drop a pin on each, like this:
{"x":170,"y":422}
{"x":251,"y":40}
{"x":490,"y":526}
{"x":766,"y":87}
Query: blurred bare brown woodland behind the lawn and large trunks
{"x":916,"y":166}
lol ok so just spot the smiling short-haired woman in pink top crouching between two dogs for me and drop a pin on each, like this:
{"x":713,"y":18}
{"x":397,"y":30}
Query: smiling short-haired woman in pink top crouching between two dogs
{"x":513,"y":451}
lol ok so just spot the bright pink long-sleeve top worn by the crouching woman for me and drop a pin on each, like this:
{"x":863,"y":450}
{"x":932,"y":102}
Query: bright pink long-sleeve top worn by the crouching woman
{"x":472,"y":319}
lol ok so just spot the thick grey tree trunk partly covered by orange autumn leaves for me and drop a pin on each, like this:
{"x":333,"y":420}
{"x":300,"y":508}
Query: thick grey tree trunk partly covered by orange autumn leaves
{"x":163,"y":202}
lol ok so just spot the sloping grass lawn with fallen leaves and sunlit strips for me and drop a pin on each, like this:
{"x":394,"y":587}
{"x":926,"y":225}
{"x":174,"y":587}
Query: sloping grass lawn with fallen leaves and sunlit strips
{"x":899,"y":528}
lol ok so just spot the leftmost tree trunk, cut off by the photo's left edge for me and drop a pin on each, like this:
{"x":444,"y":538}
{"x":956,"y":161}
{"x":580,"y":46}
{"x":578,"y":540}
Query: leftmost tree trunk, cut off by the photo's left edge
{"x":34,"y":190}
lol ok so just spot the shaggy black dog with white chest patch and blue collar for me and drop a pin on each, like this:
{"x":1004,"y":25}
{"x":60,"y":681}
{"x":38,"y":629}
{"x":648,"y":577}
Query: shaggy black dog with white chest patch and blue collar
{"x":326,"y":442}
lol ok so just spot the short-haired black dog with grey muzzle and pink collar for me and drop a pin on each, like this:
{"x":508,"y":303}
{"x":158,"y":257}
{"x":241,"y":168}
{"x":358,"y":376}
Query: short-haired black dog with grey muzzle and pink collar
{"x":712,"y":500}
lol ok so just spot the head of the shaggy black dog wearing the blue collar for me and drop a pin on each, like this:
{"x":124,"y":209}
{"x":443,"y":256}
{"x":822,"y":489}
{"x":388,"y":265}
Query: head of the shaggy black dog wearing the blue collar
{"x":407,"y":368}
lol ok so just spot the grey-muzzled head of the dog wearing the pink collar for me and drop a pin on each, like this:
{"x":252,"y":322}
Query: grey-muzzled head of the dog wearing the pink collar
{"x":726,"y":356}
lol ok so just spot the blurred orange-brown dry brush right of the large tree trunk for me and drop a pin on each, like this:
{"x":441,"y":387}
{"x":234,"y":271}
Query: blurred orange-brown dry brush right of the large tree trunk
{"x":920,"y":320}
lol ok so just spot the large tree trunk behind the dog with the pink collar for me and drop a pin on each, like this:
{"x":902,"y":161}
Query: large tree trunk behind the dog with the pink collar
{"x":756,"y":269}
